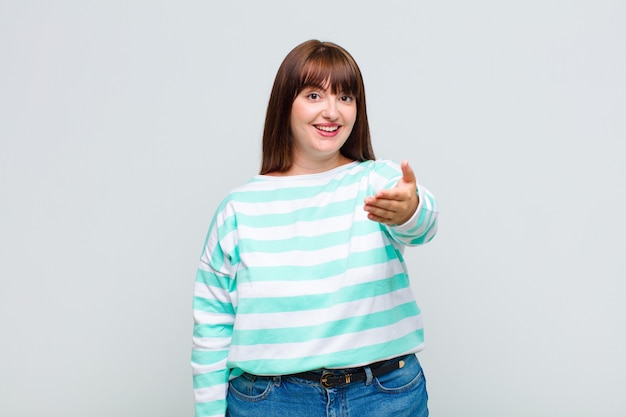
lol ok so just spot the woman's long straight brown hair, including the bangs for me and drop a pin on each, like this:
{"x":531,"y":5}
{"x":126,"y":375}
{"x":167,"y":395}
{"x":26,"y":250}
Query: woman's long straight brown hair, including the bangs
{"x":313,"y":63}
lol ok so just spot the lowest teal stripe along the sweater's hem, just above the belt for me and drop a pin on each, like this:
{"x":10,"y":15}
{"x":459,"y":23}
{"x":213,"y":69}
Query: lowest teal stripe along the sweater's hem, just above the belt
{"x":339,"y":359}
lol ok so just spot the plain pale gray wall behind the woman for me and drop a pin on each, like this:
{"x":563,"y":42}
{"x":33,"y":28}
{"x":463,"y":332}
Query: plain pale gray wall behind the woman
{"x":123,"y":123}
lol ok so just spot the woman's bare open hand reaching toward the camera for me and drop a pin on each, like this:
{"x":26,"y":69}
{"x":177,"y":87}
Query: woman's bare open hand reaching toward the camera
{"x":395,"y":205}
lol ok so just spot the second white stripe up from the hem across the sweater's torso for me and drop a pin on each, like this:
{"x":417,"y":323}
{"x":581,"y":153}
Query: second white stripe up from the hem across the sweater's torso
{"x":260,"y":321}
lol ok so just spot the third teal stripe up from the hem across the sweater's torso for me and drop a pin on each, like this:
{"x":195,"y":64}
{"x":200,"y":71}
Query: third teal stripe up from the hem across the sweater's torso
{"x":319,"y":301}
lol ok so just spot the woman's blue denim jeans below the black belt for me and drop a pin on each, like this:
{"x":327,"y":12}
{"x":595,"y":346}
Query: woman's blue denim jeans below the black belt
{"x":400,"y":393}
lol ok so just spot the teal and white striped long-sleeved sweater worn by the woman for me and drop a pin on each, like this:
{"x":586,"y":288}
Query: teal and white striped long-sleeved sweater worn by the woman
{"x":294,"y":277}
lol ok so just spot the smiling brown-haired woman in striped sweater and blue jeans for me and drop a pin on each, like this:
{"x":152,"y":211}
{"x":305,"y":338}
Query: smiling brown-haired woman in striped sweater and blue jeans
{"x":302,"y":303}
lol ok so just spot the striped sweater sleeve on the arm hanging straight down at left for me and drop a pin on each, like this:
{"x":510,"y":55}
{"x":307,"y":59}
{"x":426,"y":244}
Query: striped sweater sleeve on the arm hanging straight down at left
{"x":214,"y":305}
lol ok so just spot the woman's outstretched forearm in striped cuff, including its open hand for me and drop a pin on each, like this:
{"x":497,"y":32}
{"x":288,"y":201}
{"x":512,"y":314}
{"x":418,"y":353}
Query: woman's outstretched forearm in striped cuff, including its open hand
{"x":409,"y":211}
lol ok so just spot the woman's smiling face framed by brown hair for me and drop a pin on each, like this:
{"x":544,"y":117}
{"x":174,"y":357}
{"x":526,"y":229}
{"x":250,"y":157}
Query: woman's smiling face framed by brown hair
{"x":321,"y":123}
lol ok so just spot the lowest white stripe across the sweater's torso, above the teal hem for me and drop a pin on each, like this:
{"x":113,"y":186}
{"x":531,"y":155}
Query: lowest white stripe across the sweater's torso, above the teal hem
{"x":325,"y":346}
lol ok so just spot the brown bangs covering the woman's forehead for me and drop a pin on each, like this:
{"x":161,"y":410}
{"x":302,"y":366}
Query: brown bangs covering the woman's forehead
{"x":328,"y":68}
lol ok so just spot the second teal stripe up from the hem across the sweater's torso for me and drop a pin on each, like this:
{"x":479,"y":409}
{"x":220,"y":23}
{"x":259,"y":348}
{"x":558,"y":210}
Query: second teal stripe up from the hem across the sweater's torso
{"x":339,"y":327}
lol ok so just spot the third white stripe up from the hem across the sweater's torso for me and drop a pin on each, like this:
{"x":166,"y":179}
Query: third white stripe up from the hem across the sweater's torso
{"x":352,"y":276}
